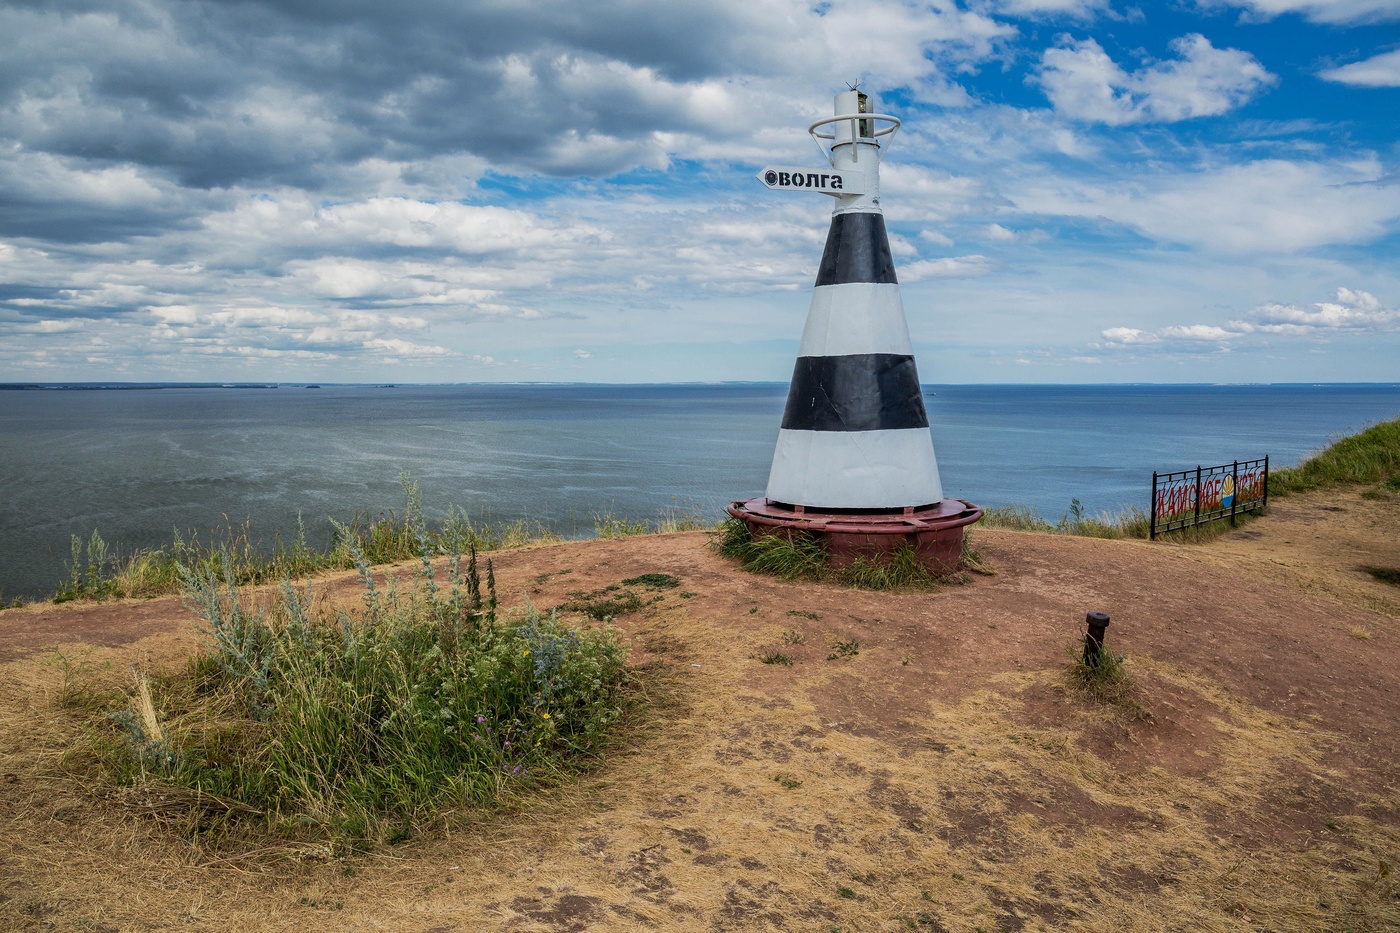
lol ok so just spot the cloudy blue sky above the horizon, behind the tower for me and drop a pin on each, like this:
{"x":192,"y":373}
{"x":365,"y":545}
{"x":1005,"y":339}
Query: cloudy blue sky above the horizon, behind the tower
{"x":461,"y":191}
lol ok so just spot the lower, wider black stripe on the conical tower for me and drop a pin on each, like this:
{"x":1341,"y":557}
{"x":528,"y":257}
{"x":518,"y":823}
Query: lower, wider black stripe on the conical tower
{"x":857,"y":393}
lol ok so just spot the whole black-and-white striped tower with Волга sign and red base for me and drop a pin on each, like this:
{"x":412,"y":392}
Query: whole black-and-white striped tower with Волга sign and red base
{"x":855,"y":460}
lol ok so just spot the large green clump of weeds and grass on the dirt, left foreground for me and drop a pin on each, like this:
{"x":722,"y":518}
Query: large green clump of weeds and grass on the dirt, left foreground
{"x":353,"y":726}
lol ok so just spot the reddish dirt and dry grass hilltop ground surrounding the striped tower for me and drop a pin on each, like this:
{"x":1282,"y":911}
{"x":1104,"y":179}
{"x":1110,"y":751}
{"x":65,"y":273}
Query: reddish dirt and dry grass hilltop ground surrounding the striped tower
{"x":922,"y":764}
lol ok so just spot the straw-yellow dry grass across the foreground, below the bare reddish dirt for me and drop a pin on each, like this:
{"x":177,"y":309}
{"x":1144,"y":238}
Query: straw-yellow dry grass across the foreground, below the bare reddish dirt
{"x":985,"y":817}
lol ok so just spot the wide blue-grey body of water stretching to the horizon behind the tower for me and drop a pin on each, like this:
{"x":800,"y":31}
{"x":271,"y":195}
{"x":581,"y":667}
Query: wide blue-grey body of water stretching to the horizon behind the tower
{"x":139,"y":464}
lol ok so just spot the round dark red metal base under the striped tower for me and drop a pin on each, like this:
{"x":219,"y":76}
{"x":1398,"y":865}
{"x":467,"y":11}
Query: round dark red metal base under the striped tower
{"x":934,"y":532}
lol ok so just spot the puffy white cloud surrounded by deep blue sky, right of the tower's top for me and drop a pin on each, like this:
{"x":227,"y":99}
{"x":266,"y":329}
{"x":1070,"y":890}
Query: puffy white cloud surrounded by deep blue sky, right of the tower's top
{"x":1084,"y":83}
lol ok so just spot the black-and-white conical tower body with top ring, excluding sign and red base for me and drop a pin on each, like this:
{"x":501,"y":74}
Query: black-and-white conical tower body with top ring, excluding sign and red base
{"x":855,"y":432}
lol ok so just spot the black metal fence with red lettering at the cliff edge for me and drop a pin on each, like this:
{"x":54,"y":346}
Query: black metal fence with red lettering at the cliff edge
{"x":1207,"y":494}
